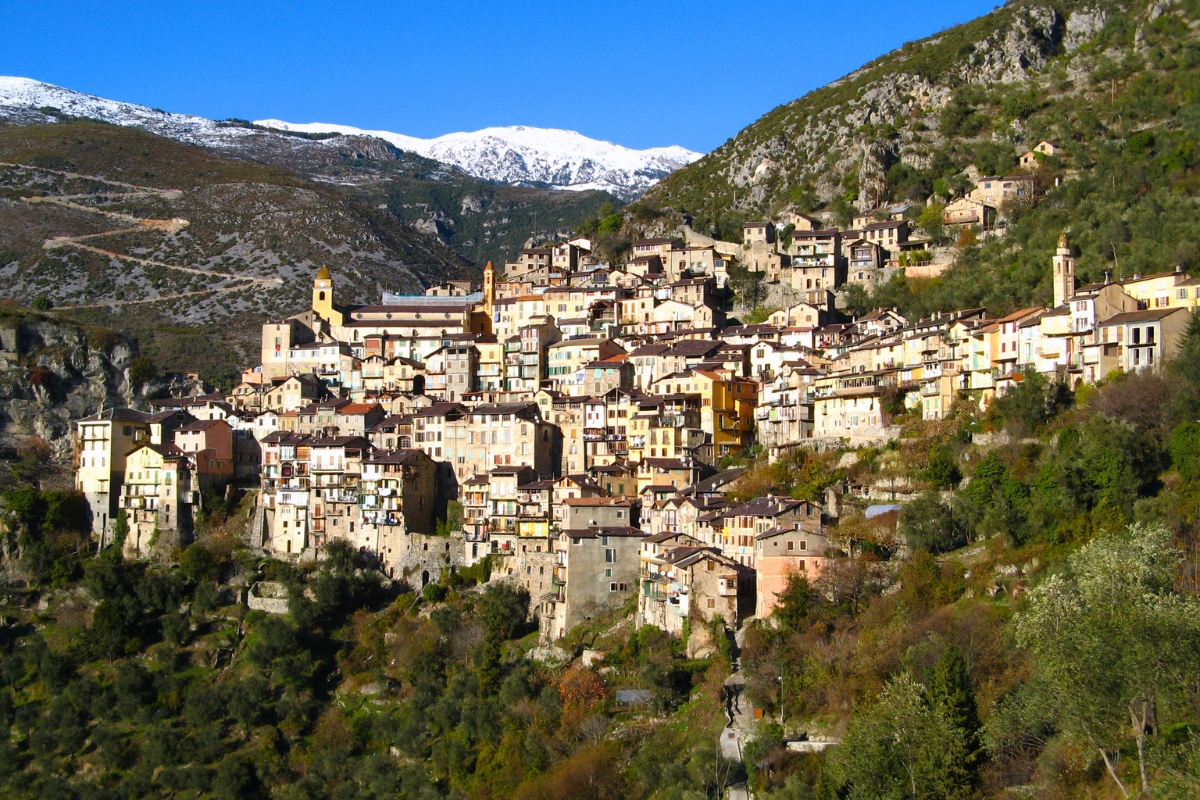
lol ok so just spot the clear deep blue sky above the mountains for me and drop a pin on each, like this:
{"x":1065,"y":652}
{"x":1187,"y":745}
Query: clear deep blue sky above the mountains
{"x":638,"y":74}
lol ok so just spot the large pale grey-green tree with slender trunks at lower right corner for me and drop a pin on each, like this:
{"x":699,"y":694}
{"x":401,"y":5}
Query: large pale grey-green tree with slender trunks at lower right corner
{"x":1111,"y":640}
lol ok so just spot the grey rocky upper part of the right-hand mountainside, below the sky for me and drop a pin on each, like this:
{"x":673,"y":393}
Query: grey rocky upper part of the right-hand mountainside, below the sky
{"x":926,"y":107}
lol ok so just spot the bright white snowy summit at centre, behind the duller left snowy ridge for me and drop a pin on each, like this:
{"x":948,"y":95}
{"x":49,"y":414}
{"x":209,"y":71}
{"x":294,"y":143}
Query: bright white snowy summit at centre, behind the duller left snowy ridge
{"x":532,"y":157}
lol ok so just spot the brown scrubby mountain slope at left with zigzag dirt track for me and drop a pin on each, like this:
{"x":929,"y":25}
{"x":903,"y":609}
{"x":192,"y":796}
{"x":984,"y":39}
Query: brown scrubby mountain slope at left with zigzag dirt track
{"x":187,"y":246}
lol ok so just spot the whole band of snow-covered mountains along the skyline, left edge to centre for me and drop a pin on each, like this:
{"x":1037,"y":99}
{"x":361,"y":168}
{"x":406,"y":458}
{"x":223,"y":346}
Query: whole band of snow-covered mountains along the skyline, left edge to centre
{"x":513,"y":155}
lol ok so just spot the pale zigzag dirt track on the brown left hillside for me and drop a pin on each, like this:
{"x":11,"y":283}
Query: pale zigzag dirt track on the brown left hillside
{"x":134,"y":225}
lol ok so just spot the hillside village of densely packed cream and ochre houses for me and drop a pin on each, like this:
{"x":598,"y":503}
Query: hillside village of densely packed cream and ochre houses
{"x":581,"y":423}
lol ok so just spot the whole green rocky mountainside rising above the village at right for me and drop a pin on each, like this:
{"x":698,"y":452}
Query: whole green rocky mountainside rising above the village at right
{"x":1113,"y":83}
